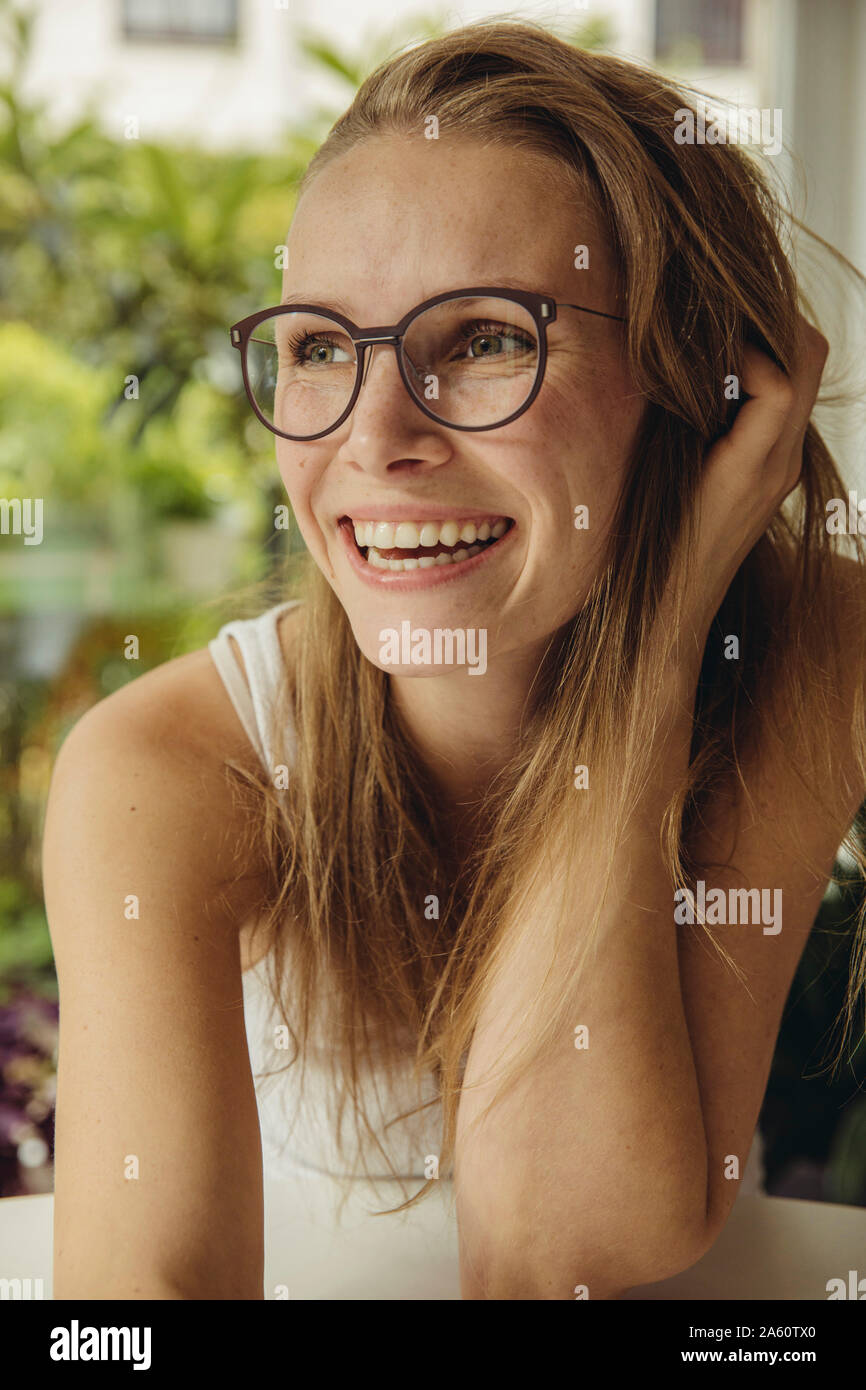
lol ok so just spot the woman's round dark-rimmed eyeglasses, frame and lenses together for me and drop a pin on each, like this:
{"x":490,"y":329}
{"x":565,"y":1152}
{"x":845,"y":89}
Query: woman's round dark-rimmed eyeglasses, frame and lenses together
{"x":471,"y":359}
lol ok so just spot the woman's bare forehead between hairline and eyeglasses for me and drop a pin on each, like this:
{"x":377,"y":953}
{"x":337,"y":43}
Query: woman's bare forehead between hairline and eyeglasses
{"x":398,"y":219}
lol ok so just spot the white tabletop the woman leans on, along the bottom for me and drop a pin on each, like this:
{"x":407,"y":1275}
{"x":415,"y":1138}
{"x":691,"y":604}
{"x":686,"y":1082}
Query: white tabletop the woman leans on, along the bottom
{"x":771,"y":1249}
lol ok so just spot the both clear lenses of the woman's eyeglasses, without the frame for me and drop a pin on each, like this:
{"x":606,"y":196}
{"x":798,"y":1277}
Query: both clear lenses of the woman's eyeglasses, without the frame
{"x":471,"y":362}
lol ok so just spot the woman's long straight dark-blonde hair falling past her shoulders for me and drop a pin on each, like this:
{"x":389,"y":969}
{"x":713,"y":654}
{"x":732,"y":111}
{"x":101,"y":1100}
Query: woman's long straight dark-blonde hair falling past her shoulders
{"x":357,"y":843}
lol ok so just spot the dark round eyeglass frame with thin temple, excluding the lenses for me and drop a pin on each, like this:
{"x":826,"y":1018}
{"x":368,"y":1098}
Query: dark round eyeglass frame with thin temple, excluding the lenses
{"x":543,"y":308}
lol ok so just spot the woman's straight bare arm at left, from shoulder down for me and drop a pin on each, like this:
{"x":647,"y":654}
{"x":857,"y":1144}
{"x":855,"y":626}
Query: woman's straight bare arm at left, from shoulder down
{"x":159,"y":1160}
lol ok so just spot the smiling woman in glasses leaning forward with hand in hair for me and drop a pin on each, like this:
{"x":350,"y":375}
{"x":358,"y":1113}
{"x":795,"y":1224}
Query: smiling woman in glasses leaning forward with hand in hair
{"x":558,"y":879}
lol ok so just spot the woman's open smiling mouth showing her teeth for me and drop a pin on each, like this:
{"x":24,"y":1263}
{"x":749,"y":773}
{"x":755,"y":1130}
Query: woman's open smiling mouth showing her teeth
{"x":422,"y":546}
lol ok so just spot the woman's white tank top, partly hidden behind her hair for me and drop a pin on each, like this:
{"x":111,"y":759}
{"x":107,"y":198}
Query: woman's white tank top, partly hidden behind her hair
{"x":297,"y":1132}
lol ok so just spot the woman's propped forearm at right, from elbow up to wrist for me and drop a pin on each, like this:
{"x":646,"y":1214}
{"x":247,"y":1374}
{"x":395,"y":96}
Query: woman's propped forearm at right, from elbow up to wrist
{"x":593,"y":1168}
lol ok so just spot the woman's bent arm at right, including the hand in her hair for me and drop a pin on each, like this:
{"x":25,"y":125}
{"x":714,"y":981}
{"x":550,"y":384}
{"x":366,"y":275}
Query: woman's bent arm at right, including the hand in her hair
{"x":610,"y":1167}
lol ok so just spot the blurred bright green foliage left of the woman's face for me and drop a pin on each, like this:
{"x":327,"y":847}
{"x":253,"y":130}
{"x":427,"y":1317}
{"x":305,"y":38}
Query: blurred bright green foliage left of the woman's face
{"x":122,"y":259}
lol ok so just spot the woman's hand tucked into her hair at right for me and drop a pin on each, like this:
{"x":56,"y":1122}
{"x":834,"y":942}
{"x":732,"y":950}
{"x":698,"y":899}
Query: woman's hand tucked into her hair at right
{"x":747,"y":477}
